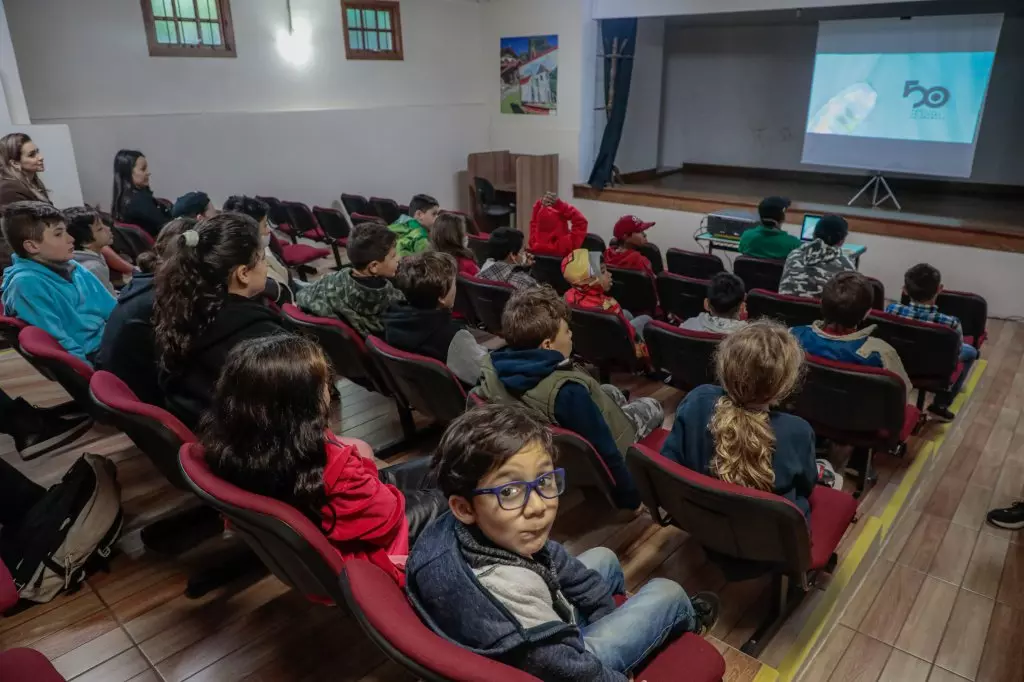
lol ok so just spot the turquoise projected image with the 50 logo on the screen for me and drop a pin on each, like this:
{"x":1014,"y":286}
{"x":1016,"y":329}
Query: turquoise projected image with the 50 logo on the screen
{"x":933,"y":98}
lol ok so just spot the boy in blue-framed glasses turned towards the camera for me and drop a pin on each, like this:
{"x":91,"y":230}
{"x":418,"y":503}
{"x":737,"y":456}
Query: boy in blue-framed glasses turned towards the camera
{"x":488,"y":577}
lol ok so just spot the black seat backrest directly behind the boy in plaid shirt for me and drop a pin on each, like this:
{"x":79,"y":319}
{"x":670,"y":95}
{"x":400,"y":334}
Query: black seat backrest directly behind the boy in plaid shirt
{"x":930,"y":353}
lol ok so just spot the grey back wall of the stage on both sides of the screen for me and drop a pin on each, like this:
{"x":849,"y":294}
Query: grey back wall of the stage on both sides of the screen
{"x":738,"y":96}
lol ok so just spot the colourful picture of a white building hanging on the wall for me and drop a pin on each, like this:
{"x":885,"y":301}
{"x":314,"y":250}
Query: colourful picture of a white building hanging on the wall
{"x":530,"y":75}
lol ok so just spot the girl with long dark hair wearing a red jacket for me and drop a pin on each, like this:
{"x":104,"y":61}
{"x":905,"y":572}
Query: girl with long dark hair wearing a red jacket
{"x":268,"y":433}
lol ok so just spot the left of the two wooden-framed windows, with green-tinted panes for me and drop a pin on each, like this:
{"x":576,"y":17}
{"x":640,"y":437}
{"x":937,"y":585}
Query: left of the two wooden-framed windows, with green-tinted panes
{"x":189,"y":28}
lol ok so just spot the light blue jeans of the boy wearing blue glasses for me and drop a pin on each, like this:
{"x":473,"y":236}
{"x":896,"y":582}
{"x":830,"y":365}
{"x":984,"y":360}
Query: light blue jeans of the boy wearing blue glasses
{"x":626,"y":637}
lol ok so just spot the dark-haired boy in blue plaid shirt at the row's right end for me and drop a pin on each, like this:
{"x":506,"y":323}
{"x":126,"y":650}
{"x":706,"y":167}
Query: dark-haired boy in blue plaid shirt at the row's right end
{"x":923,"y":284}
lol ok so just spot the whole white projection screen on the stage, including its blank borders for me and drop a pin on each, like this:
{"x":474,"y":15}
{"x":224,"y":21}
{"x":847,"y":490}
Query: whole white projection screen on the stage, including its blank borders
{"x":901,"y":96}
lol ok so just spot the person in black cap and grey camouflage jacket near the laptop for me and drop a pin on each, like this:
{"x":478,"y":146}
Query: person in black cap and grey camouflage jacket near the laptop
{"x":812,"y":266}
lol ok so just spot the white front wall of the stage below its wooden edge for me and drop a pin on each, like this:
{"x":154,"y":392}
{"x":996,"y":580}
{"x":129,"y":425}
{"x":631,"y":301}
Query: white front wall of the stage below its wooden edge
{"x":991,"y":274}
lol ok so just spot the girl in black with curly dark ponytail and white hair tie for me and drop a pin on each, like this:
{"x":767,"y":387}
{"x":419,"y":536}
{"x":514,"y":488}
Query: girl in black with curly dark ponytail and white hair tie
{"x":207,"y":302}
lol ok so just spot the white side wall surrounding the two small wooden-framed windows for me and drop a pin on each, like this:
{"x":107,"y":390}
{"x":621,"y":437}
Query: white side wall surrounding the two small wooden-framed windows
{"x":259,"y":123}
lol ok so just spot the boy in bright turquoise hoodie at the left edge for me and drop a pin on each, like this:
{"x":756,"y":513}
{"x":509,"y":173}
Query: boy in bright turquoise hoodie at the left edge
{"x":46,"y":287}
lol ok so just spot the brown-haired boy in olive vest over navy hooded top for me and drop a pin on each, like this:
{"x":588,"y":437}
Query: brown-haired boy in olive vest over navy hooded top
{"x":536,"y":369}
